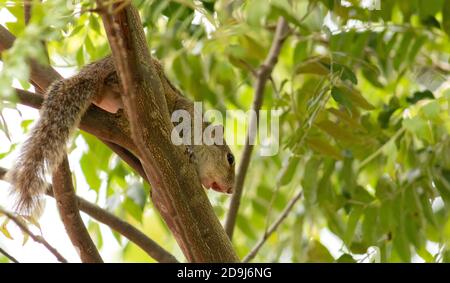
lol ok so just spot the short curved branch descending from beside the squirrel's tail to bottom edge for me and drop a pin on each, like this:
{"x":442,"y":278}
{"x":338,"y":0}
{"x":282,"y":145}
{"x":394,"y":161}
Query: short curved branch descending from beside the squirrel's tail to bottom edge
{"x":68,"y":210}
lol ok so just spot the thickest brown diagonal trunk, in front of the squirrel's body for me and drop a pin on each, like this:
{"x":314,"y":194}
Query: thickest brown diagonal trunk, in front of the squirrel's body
{"x":176,"y":189}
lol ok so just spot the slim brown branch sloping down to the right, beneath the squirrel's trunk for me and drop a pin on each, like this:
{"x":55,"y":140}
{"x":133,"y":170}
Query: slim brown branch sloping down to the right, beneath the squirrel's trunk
{"x":124,"y":228}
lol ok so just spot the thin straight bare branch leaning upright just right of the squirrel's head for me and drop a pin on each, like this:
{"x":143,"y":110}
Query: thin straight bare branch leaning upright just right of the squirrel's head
{"x":263,"y":75}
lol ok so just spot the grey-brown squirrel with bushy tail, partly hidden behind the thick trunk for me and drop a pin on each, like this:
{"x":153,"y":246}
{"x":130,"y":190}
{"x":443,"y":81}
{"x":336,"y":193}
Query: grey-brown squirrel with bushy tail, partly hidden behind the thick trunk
{"x":65,"y":102}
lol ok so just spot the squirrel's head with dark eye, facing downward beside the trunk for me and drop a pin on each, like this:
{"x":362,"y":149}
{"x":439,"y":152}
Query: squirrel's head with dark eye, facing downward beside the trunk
{"x":215,"y":166}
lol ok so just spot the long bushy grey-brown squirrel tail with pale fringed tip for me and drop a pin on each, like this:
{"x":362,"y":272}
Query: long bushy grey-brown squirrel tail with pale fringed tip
{"x":65,"y":103}
